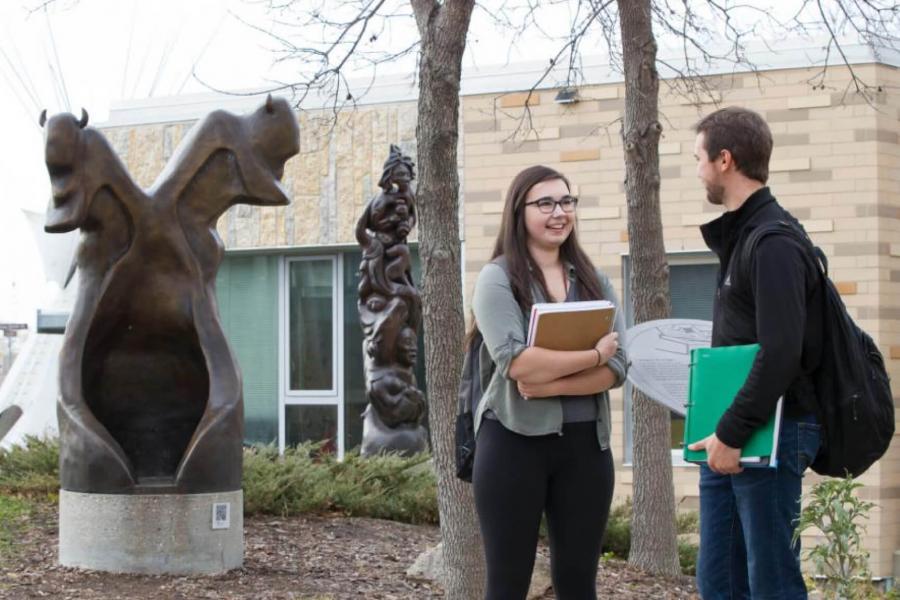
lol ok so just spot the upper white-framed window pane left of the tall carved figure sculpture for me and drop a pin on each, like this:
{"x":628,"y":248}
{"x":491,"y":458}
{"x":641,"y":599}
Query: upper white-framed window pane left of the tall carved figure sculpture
{"x":311,"y":324}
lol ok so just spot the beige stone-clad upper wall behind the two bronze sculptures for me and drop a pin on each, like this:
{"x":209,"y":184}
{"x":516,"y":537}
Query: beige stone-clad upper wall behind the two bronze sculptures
{"x":335,"y":174}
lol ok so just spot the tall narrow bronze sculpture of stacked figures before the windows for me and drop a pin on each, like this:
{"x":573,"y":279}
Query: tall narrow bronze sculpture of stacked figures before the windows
{"x":390,"y":312}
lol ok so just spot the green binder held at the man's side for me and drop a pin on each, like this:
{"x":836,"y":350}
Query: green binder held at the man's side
{"x":717,"y":374}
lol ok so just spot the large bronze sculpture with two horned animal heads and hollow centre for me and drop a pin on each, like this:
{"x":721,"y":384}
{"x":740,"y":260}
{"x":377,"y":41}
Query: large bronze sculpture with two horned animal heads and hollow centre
{"x":150,"y":394}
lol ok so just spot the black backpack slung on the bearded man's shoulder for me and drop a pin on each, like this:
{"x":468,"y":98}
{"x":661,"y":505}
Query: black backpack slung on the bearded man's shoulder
{"x":853,"y":393}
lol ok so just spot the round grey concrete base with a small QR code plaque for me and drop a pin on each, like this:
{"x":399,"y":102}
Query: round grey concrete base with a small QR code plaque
{"x":175,"y":534}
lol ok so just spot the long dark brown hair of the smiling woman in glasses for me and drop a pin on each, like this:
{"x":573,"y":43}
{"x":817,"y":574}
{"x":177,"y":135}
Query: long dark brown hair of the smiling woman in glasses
{"x":512,"y":243}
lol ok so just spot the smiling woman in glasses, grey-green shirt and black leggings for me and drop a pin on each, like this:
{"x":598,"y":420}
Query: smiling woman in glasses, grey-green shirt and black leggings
{"x":543,"y":422}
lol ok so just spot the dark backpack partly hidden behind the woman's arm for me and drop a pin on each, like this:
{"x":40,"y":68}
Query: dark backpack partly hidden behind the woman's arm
{"x":470,"y":392}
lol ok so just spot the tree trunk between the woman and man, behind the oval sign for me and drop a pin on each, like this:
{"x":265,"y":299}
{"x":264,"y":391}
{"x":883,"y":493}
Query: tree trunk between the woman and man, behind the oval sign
{"x":653,"y":535}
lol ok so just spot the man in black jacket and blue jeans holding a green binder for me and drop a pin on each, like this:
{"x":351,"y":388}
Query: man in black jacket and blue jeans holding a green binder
{"x":747,"y":515}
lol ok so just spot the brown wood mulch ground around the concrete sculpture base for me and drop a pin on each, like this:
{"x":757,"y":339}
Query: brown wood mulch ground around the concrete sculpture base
{"x":308,"y":557}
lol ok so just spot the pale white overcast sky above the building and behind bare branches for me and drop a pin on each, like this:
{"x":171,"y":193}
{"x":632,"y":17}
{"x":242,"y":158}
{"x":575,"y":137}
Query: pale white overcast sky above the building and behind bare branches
{"x":89,"y":53}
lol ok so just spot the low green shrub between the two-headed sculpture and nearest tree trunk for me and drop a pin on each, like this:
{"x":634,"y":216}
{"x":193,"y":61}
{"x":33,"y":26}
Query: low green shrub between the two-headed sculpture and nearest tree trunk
{"x":307,"y":480}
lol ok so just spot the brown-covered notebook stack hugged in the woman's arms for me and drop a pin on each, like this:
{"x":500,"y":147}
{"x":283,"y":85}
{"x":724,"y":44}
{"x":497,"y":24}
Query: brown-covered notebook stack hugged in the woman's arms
{"x":570,"y":325}
